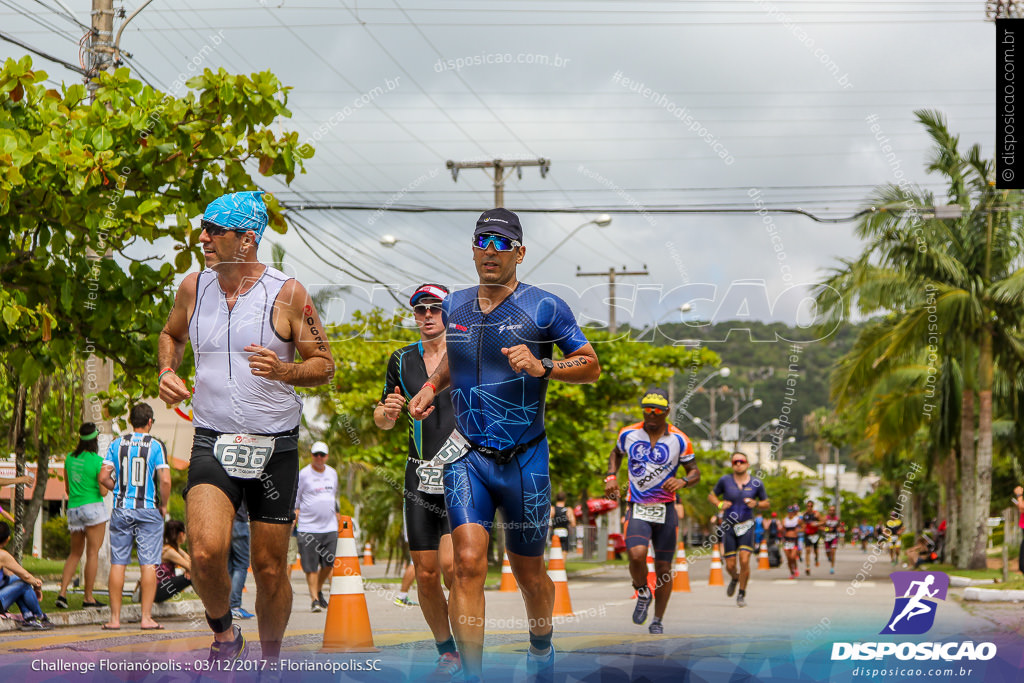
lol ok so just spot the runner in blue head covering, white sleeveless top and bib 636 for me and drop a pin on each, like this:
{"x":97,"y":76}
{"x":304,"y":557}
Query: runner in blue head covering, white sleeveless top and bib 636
{"x":246,"y":321}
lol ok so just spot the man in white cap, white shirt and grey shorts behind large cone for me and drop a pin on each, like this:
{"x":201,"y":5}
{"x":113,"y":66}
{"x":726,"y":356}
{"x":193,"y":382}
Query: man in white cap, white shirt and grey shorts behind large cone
{"x":317,"y":523}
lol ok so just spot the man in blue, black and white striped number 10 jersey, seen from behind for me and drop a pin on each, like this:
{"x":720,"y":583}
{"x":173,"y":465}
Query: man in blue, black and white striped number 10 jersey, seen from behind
{"x":135,"y":465}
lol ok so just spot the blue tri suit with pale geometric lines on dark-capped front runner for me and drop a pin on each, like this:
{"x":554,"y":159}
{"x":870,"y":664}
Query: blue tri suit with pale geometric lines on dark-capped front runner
{"x":501,"y":410}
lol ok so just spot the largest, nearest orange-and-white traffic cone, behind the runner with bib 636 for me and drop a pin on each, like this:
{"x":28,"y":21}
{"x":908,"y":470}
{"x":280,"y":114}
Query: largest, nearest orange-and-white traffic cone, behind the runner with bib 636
{"x":348,"y":628}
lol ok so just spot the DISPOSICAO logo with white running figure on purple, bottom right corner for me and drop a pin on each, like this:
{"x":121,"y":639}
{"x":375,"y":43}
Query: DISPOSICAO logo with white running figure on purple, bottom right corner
{"x":914,"y":614}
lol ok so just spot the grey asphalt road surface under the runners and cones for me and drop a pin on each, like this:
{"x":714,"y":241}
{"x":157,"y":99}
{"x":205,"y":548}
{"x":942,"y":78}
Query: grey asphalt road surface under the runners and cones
{"x":786,"y":621}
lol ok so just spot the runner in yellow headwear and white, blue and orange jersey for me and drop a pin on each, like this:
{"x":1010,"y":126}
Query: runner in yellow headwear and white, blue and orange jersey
{"x":655,"y":451}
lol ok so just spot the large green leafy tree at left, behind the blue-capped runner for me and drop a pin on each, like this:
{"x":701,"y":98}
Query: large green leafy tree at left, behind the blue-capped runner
{"x":84,"y":185}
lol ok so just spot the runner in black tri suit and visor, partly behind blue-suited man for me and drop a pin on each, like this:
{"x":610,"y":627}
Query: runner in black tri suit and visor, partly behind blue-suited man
{"x":428,"y":527}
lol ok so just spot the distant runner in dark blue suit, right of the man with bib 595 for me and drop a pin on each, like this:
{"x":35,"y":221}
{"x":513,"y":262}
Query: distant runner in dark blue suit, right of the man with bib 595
{"x":738,"y":496}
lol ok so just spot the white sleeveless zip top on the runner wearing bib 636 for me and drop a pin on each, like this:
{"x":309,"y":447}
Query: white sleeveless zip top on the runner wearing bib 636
{"x":229,"y":398}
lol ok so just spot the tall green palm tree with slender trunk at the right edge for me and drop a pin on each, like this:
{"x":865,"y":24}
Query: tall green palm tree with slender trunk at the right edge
{"x":953,"y":288}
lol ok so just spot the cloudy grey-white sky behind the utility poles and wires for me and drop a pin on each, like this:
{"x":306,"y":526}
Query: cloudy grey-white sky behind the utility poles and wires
{"x":641,"y":107}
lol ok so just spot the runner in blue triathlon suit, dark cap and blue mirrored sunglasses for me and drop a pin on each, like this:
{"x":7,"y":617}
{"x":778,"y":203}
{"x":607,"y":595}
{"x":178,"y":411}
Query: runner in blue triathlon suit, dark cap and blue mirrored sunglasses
{"x":500,"y":338}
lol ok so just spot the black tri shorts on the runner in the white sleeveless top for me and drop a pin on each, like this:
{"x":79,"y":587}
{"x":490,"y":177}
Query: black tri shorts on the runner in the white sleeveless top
{"x":272,"y":497}
